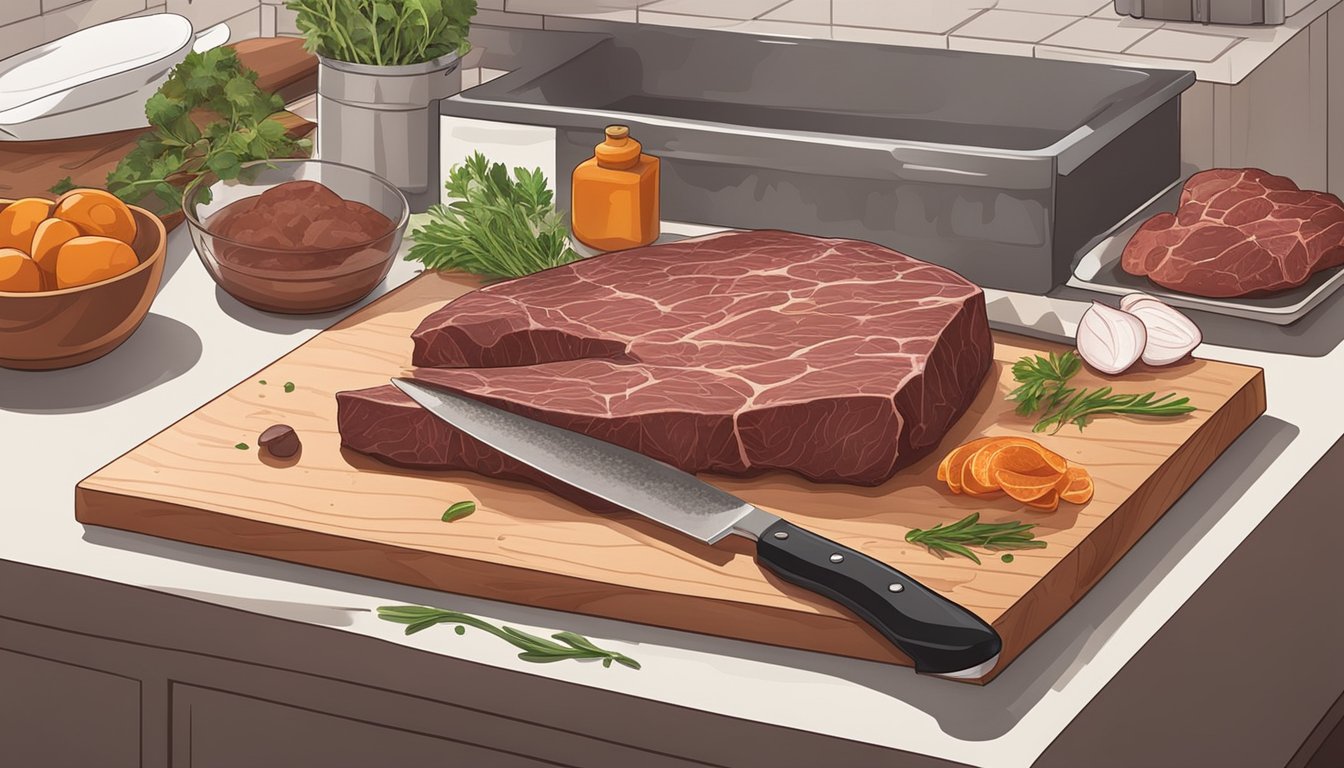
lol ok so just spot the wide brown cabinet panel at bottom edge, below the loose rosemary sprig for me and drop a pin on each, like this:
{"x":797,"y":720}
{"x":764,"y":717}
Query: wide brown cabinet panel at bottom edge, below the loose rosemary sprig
{"x":217,"y":730}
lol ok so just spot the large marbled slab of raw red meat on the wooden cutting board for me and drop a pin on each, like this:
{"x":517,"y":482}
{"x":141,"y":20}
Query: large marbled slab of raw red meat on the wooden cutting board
{"x":837,"y":360}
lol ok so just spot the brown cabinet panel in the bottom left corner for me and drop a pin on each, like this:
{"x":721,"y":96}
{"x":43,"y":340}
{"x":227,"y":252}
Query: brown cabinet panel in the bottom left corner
{"x":62,"y":716}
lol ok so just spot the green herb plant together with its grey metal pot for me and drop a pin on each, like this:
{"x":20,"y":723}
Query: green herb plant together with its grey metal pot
{"x":384,"y":67}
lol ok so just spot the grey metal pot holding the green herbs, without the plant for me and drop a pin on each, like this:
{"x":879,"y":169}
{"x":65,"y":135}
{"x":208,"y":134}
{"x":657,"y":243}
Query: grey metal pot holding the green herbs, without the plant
{"x":385,"y":120}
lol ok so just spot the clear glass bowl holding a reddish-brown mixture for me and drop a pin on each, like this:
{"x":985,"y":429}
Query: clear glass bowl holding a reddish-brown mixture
{"x":295,"y":279}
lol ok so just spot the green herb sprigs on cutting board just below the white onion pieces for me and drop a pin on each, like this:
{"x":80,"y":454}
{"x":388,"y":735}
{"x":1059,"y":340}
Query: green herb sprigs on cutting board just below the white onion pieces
{"x":1044,"y":388}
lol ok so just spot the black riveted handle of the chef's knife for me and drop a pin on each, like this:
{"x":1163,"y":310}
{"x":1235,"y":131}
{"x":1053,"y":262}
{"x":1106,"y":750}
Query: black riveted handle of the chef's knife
{"x":937,"y":634}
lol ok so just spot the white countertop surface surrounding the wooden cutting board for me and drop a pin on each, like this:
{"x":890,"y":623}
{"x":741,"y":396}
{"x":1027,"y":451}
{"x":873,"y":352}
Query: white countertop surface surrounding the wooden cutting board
{"x":60,"y":427}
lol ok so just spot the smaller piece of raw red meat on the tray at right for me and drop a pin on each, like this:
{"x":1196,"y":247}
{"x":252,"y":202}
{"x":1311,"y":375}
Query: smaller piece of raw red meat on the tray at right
{"x":1240,"y":233}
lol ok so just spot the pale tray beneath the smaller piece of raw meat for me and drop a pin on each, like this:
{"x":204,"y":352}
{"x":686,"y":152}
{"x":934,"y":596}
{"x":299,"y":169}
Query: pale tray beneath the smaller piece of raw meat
{"x":1099,"y":271}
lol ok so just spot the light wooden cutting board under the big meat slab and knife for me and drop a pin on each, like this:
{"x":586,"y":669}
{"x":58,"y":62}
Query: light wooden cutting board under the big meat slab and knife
{"x":345,"y":512}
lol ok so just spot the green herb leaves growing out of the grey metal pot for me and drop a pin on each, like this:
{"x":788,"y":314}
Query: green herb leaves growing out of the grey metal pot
{"x":386,"y":33}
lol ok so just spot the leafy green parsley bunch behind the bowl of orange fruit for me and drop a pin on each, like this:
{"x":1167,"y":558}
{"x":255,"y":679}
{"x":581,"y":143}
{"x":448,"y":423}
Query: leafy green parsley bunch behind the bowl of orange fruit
{"x":177,"y":150}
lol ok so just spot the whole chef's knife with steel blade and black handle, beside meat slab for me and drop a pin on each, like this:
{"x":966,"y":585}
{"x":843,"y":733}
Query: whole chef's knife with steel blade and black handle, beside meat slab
{"x":939,"y":636}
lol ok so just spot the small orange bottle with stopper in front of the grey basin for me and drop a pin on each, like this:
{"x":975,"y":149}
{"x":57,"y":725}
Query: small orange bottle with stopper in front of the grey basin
{"x":615,"y":202}
